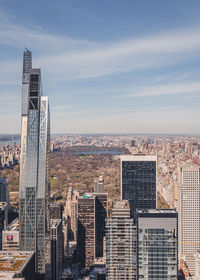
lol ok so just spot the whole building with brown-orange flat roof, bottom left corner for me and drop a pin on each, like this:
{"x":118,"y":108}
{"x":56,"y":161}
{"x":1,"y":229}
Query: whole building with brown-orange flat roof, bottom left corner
{"x":17,"y":265}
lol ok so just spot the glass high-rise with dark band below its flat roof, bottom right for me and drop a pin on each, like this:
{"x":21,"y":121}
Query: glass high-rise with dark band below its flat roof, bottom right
{"x":157,"y":244}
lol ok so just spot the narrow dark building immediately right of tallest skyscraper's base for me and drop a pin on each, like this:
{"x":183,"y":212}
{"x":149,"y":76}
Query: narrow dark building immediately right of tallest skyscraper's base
{"x":56,"y":248}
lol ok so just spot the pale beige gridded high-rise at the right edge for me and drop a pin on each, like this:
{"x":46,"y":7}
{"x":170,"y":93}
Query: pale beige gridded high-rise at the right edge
{"x":189,"y":213}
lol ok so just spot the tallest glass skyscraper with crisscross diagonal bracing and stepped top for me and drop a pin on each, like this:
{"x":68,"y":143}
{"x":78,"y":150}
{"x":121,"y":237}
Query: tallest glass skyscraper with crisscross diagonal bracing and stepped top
{"x":34,"y":166}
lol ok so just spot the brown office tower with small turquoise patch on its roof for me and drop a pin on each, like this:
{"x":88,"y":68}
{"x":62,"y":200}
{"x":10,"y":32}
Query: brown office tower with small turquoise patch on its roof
{"x":86,"y":230}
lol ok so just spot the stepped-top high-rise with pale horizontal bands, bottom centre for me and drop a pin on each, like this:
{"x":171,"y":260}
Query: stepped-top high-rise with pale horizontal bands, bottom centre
{"x":120,"y":243}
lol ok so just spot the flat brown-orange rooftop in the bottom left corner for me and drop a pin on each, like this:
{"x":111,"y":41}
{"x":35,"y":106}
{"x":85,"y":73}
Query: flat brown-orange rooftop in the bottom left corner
{"x":13,"y":261}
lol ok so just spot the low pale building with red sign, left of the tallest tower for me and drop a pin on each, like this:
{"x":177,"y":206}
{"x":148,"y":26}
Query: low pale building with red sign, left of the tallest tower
{"x":10,"y":237}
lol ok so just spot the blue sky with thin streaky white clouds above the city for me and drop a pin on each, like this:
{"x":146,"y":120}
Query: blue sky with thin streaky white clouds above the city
{"x":108,"y":66}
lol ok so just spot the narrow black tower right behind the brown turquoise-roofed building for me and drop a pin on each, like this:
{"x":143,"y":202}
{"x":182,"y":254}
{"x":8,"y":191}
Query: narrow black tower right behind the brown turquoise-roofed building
{"x":101,"y":207}
